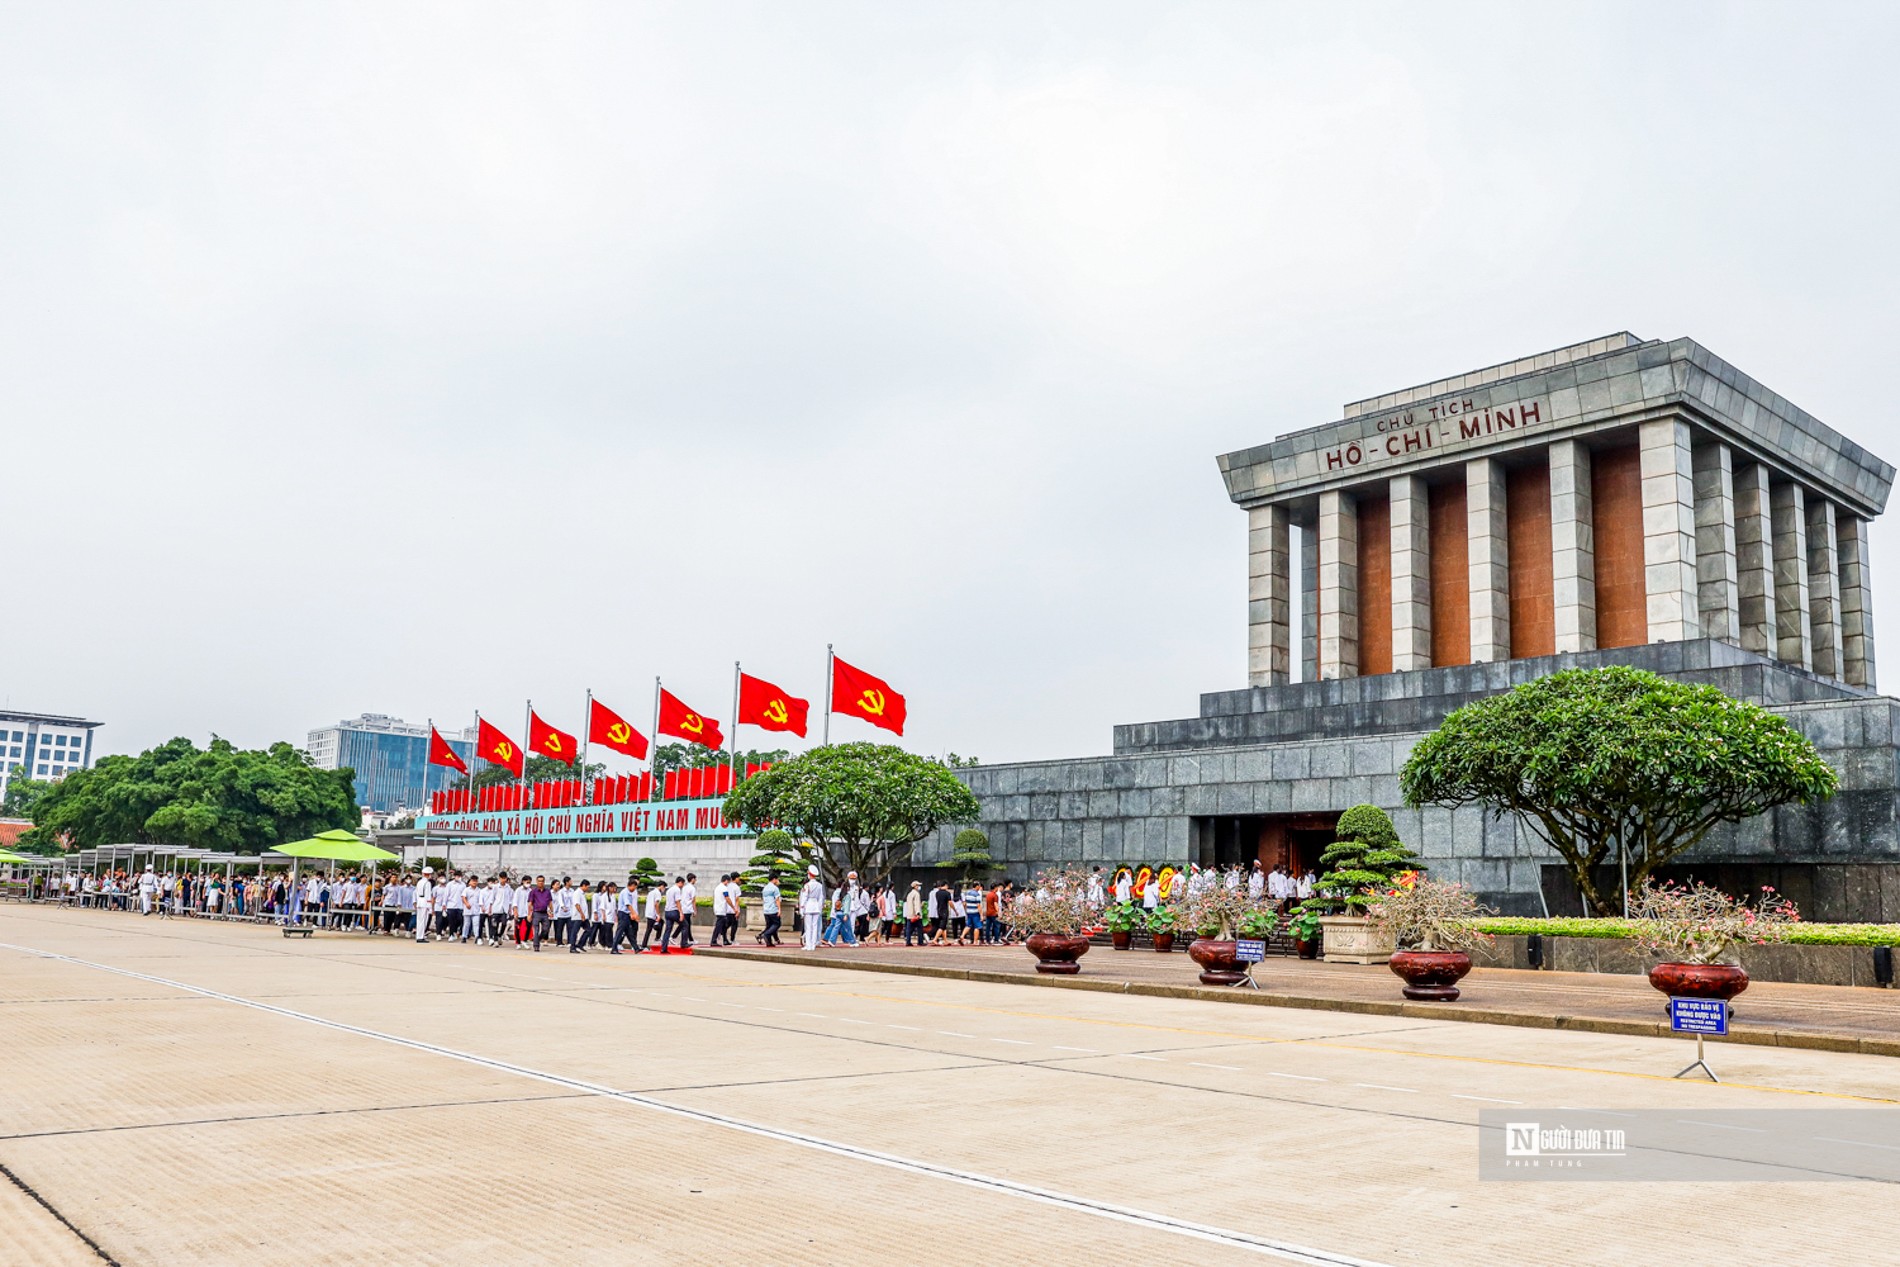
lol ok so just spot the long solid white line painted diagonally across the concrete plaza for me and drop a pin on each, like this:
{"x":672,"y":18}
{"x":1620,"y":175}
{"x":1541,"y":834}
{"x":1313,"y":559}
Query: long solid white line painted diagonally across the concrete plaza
{"x":1080,"y":1205}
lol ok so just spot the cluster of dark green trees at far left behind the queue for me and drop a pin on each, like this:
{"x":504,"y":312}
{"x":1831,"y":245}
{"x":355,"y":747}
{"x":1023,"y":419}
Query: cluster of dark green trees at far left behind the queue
{"x":204,"y":799}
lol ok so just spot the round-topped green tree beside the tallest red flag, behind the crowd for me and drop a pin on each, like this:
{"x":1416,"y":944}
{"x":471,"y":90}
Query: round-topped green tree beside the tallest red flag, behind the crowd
{"x":864,"y":804}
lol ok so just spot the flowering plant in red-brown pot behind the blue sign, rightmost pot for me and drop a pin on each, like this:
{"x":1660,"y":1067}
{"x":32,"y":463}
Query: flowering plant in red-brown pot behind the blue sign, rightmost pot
{"x":1700,"y":930}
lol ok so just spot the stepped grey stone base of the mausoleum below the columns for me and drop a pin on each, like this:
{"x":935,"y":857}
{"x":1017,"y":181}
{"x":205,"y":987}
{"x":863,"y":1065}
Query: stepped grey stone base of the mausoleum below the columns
{"x":1143,"y":803}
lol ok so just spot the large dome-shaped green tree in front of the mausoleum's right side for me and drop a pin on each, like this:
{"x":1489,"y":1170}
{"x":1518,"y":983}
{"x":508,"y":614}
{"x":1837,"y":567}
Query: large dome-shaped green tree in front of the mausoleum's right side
{"x":1601,"y":761}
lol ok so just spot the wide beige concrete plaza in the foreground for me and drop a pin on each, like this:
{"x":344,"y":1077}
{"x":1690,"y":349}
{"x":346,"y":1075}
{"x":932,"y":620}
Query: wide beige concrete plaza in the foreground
{"x":204,"y":1093}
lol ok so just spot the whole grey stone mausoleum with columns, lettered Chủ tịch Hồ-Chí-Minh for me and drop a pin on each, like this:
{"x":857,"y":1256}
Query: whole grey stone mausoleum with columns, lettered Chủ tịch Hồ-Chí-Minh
{"x":1612,"y":502}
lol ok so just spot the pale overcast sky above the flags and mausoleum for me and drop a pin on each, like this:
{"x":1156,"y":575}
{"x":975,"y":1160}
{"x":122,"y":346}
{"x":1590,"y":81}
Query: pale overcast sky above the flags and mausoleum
{"x":428,"y":358}
